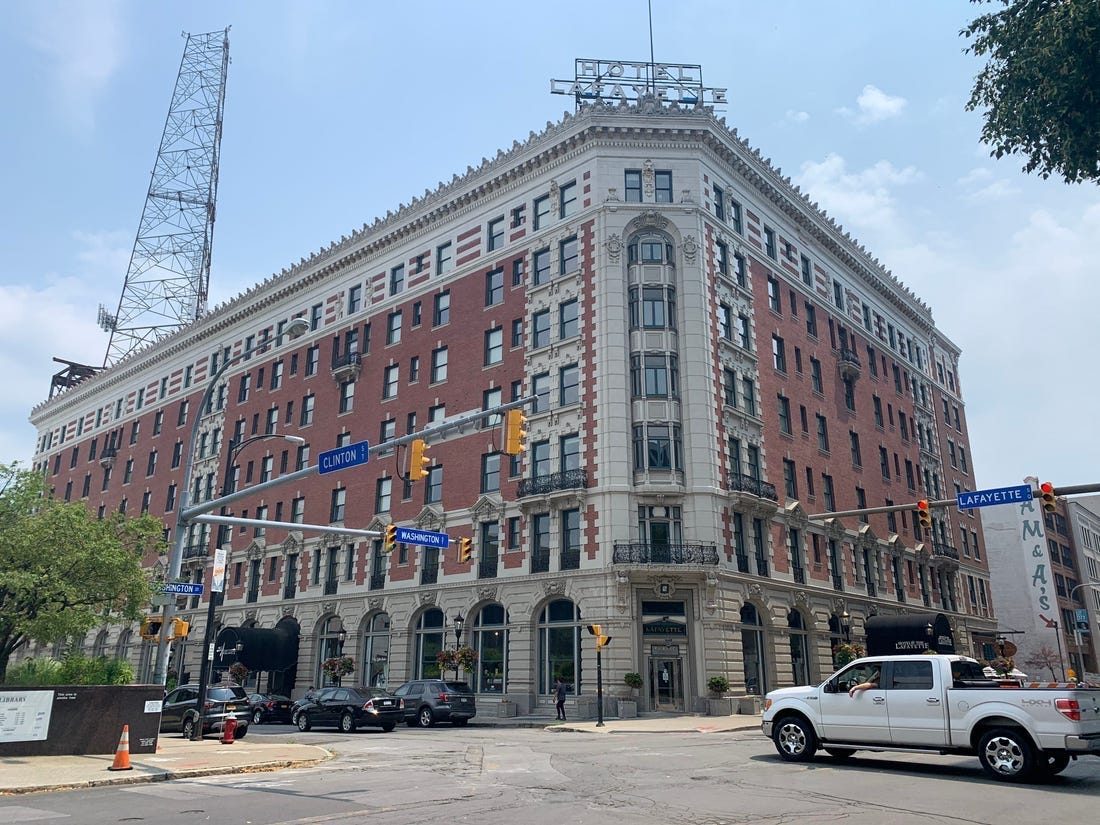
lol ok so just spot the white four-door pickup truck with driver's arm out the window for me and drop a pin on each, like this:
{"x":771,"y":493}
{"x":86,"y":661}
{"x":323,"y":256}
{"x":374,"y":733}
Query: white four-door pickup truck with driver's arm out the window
{"x":937,"y":705}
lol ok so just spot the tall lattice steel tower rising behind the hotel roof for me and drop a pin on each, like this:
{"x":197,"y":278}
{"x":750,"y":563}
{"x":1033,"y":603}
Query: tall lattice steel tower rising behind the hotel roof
{"x":170,"y":268}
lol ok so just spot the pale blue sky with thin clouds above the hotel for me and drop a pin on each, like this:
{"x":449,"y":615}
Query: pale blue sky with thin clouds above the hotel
{"x":338,"y":112}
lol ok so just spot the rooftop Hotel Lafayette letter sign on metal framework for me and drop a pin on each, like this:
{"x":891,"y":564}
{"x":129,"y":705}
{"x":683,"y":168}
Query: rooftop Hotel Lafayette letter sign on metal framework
{"x":622,"y":81}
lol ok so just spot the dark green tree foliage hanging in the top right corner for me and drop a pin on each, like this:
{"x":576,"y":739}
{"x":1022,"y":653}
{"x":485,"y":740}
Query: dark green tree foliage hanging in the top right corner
{"x":1040,"y":89}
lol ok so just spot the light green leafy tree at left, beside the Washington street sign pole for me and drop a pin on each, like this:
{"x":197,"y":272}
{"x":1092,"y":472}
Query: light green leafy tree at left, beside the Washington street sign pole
{"x":62,"y":570}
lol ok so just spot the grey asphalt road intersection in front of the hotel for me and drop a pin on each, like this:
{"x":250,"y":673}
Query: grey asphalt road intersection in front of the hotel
{"x":496,"y":776}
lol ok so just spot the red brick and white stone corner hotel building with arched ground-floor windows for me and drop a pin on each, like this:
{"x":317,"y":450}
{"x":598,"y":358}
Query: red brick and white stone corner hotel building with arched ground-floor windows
{"x":714,"y":361}
